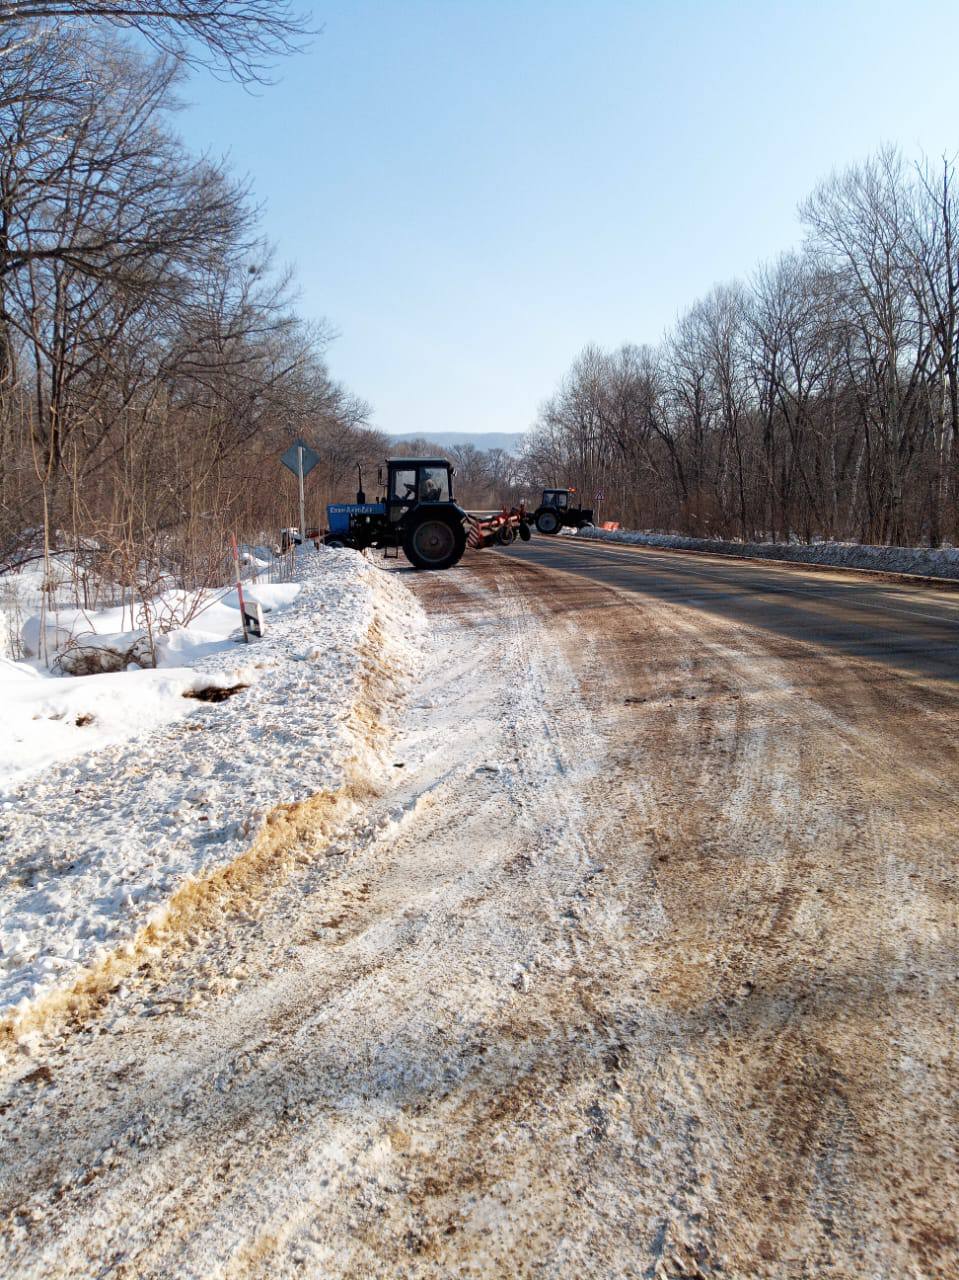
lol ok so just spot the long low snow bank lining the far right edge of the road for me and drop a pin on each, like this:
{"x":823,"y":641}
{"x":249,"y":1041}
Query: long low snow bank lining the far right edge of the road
{"x":942,"y":563}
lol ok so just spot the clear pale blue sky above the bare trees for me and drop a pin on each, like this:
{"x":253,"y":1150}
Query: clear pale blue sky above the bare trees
{"x":473,"y":190}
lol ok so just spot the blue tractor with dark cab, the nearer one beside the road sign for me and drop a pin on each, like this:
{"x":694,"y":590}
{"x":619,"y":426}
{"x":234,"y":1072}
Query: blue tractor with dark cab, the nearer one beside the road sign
{"x":417,"y":513}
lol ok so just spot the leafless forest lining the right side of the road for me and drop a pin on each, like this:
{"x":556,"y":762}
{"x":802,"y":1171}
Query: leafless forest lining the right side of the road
{"x":819,"y":400}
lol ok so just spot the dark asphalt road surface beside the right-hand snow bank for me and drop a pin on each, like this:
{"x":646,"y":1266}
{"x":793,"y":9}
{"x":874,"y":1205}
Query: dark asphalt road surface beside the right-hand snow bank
{"x":912,"y":629}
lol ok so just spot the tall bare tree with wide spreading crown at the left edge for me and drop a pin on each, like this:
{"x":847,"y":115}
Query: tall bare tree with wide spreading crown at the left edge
{"x":107,"y":222}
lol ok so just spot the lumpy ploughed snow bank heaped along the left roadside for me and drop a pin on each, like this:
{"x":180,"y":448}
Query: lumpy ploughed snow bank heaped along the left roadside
{"x":93,"y":849}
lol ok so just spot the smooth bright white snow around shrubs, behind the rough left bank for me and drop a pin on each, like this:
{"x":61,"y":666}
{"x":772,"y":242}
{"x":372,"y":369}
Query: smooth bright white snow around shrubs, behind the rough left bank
{"x":49,"y":720}
